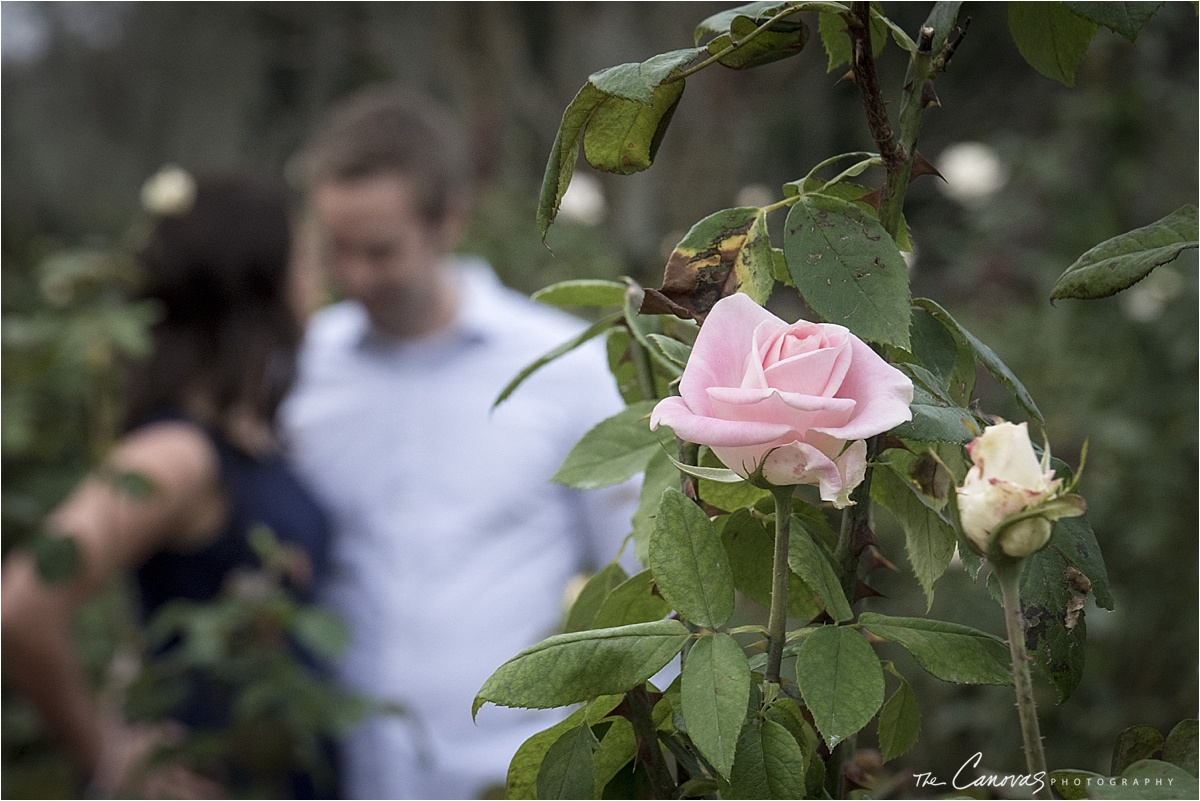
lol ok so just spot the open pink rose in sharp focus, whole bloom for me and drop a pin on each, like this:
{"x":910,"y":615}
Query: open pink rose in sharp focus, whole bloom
{"x":795,"y":400}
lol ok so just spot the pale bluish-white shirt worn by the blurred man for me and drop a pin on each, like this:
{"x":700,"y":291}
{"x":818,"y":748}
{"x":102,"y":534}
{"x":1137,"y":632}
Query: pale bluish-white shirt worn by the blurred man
{"x":452,"y":547}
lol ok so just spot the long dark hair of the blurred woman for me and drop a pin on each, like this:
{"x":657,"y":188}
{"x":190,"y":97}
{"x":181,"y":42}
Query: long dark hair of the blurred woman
{"x":220,"y":270}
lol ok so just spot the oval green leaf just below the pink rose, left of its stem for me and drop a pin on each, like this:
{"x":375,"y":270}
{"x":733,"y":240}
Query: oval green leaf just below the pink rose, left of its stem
{"x":689,"y":563}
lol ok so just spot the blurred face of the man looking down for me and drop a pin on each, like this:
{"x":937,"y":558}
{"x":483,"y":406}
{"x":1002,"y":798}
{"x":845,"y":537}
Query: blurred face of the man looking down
{"x":382,"y":251}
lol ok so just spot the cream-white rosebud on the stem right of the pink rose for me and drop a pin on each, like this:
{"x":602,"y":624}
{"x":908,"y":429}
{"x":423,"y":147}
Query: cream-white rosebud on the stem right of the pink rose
{"x":1010,"y":496}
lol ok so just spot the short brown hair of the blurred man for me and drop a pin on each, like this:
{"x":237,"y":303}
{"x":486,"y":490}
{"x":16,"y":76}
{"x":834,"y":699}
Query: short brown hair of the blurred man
{"x":386,"y":130}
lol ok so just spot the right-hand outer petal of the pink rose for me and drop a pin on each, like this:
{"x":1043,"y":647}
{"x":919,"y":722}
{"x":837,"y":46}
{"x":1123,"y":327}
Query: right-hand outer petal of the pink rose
{"x":884,"y":393}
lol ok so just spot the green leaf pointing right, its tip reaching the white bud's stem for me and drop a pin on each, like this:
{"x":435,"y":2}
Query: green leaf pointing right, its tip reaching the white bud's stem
{"x":950,"y":652}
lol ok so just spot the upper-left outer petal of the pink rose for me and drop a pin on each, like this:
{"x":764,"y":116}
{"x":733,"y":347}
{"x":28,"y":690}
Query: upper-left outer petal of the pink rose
{"x":723,"y":347}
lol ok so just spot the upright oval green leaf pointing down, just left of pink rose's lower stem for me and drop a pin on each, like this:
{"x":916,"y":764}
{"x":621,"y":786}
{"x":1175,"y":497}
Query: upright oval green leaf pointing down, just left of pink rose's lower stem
{"x":716,"y":691}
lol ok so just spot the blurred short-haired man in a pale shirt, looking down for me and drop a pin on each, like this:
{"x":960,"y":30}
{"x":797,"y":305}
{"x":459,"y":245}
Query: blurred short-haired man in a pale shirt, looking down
{"x":452,"y":547}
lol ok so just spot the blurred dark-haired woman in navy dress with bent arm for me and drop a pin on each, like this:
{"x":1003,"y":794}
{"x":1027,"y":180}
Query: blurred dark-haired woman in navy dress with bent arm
{"x":201,"y":432}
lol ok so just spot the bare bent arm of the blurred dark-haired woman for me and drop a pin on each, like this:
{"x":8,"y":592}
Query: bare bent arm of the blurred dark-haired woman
{"x":116,"y":533}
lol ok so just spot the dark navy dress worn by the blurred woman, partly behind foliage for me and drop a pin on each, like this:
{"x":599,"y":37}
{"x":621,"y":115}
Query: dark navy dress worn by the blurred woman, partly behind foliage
{"x":261,"y":492}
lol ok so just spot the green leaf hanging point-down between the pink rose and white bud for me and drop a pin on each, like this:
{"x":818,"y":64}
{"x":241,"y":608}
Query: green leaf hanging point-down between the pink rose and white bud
{"x":929,"y":537}
